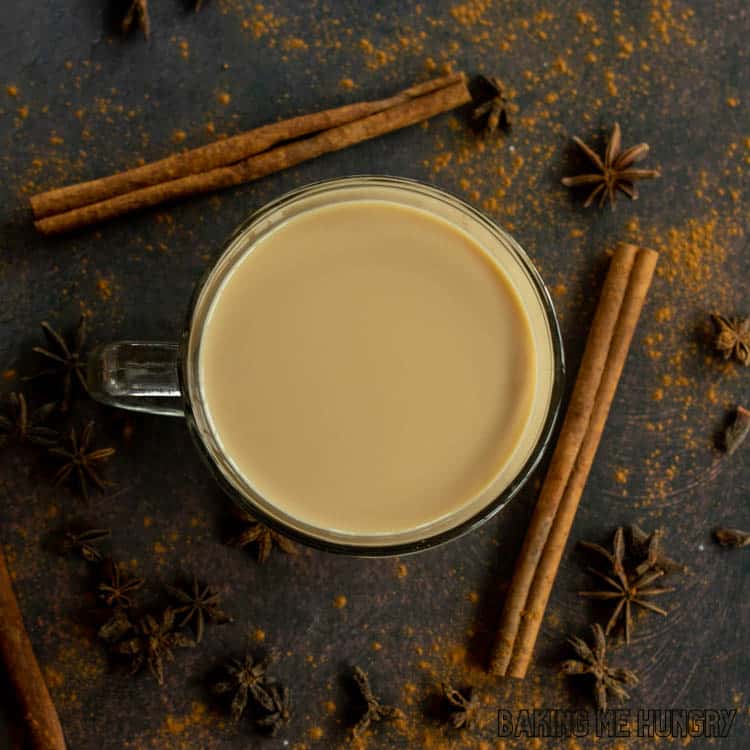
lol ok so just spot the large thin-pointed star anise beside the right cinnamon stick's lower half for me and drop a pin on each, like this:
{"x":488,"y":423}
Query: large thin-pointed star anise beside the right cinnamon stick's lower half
{"x":628,"y":589}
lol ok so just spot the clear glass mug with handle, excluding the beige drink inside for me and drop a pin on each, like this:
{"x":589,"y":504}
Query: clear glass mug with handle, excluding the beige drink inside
{"x":163,"y":378}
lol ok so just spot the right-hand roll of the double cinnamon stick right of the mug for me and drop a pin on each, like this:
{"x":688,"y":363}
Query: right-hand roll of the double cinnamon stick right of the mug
{"x":640,"y":281}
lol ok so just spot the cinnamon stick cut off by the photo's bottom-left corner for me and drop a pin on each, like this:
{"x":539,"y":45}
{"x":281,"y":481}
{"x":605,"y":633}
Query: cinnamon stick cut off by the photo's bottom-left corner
{"x":43,"y":725}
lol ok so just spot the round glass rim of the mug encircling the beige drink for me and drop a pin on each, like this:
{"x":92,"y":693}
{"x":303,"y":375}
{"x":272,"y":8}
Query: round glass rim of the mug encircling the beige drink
{"x":483,"y":514}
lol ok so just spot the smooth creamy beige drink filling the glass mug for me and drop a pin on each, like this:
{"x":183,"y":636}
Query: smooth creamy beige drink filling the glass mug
{"x":367,"y":368}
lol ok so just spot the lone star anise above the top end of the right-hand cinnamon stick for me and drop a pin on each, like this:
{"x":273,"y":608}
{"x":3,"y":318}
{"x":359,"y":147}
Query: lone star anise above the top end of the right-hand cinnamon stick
{"x":614,"y":171}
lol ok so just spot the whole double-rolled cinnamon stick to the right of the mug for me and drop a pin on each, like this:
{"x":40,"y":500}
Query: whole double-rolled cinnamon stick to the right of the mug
{"x":614,"y":322}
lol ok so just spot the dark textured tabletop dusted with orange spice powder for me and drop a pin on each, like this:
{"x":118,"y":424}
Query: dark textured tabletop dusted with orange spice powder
{"x":82,"y":101}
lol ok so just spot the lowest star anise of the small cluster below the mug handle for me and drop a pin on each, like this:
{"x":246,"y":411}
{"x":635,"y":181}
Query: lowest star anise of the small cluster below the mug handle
{"x":153,"y":643}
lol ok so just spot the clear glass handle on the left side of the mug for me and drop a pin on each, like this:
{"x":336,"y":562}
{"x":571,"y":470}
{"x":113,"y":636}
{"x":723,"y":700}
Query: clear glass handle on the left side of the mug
{"x":137,"y":375}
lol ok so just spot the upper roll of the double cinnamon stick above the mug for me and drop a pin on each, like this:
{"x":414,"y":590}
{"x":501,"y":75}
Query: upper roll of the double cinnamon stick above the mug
{"x":222,"y":153}
